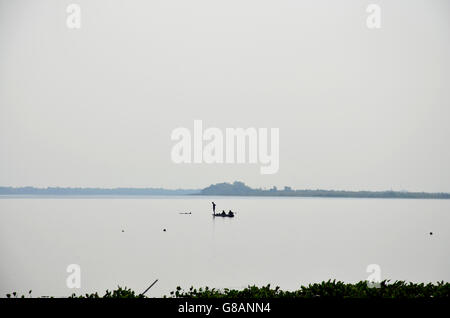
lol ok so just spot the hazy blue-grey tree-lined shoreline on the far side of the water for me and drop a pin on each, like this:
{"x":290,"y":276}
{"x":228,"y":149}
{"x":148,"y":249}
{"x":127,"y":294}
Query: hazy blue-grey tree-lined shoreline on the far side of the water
{"x":236,"y":189}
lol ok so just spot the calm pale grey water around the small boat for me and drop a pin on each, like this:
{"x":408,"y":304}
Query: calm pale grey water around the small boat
{"x":282,"y":241}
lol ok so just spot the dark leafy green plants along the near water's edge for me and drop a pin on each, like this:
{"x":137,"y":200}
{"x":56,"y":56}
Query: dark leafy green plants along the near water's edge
{"x":329,"y":289}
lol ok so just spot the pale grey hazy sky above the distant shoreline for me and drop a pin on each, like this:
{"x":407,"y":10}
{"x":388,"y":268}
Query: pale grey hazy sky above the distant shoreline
{"x":357,"y":108}
